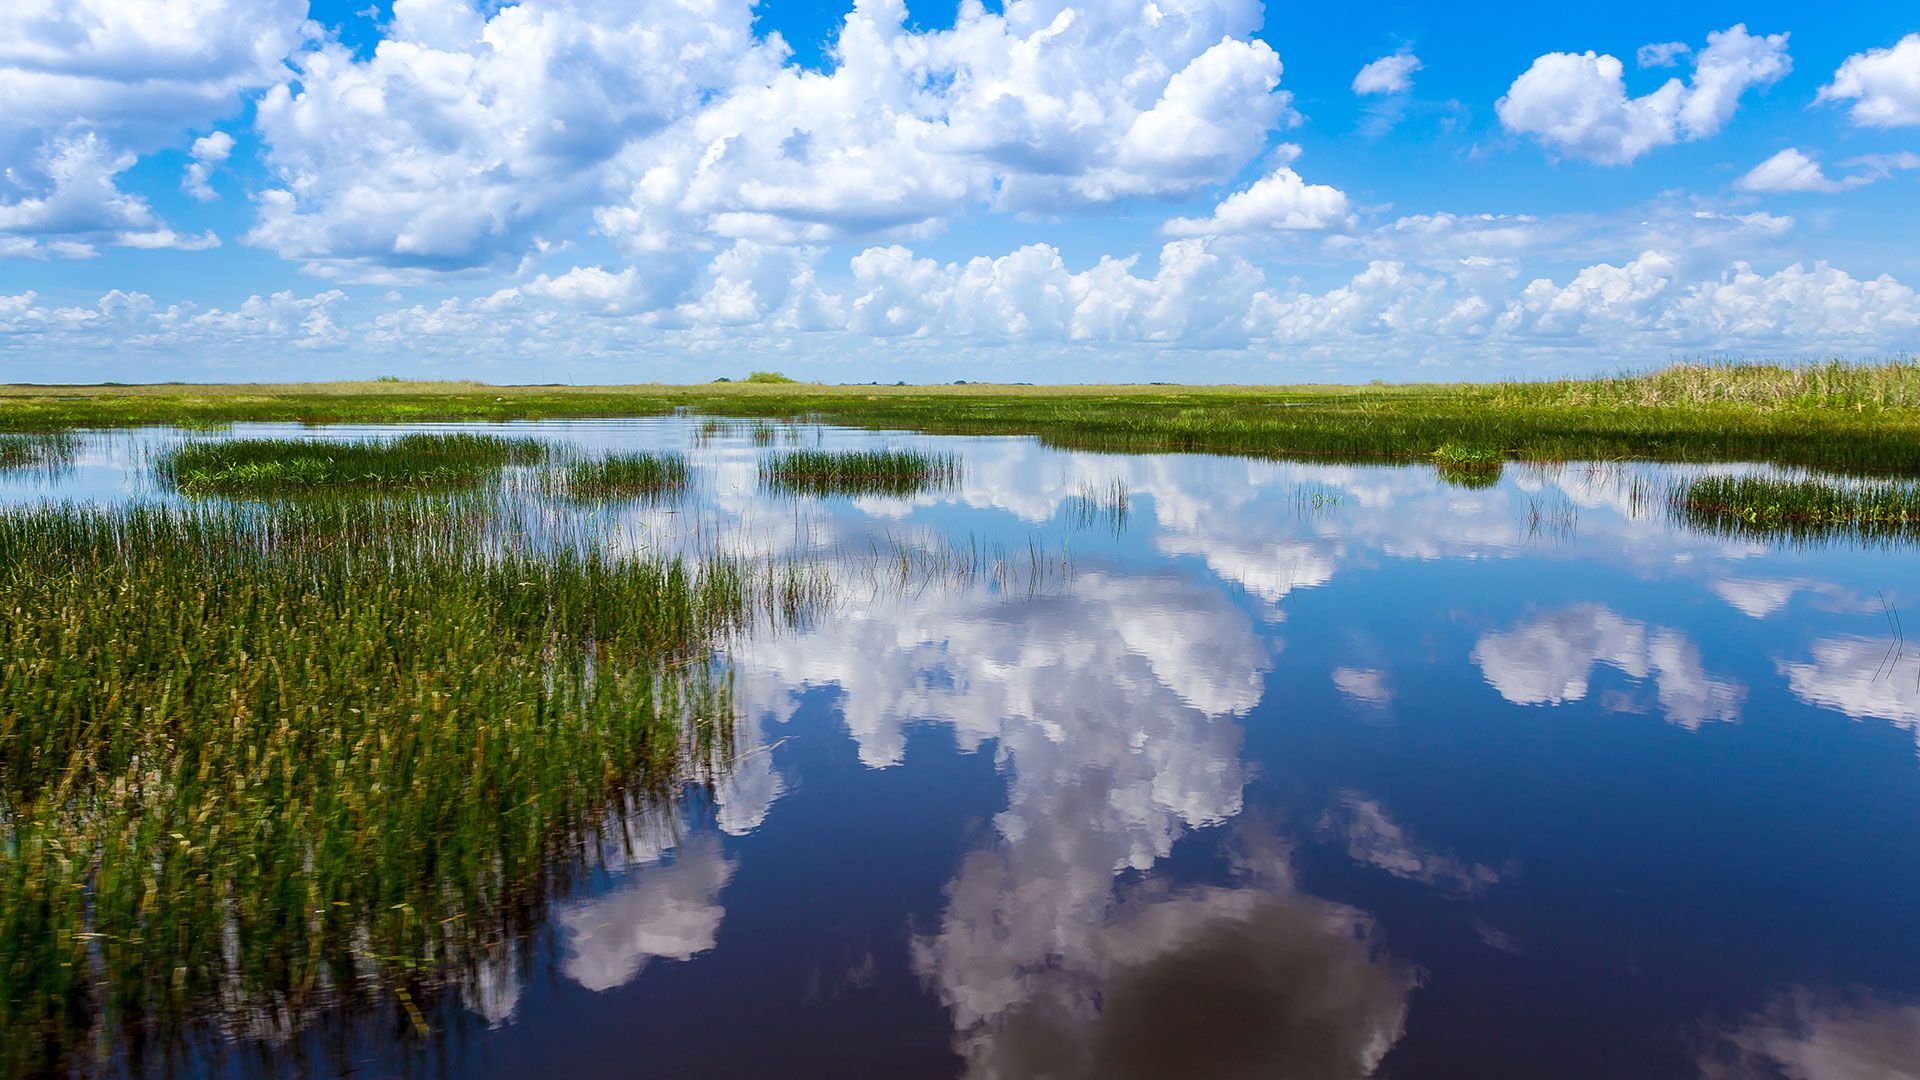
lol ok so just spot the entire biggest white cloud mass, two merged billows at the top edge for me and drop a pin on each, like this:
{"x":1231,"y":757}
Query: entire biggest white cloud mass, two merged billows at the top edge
{"x":468,"y":134}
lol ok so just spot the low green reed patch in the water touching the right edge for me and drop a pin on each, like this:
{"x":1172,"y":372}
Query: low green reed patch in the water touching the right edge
{"x":1798,"y":508}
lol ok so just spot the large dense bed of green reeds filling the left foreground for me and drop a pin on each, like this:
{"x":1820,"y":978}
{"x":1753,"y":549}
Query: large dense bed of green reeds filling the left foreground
{"x":268,"y":760}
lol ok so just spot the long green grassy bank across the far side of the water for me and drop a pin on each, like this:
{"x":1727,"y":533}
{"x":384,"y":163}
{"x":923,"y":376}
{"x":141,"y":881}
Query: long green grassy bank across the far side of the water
{"x":1852,"y":418}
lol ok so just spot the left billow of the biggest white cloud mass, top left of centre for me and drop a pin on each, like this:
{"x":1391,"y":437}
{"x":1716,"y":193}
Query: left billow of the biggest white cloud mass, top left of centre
{"x":466,"y":134}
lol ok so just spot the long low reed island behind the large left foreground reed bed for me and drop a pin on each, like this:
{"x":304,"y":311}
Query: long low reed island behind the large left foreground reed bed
{"x":266,"y":468}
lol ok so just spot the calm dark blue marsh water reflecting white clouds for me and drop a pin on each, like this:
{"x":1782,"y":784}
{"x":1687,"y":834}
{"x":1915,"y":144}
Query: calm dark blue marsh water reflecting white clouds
{"x":1228,"y":768}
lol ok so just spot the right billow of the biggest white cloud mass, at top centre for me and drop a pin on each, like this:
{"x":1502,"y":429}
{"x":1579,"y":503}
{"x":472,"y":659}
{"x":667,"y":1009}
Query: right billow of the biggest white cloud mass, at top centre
{"x":1036,"y":109}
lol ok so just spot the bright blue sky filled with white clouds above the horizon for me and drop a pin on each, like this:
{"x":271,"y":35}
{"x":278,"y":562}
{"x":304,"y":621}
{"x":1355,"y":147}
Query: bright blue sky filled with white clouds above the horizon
{"x":1180,"y":191}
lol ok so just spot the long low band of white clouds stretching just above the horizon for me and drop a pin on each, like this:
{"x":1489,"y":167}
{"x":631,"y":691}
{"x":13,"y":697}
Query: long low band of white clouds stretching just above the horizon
{"x":752,"y":299}
